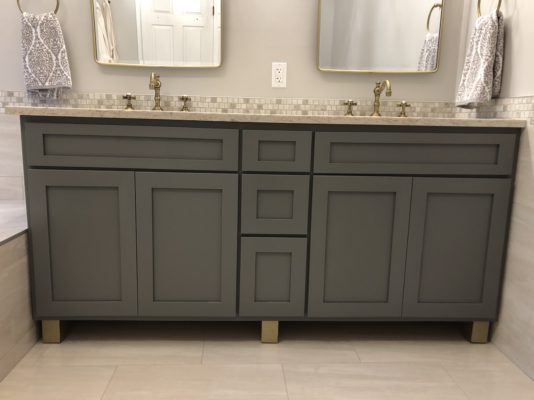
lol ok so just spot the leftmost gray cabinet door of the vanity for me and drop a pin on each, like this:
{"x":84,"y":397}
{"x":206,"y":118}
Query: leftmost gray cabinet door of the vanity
{"x":83,"y":243}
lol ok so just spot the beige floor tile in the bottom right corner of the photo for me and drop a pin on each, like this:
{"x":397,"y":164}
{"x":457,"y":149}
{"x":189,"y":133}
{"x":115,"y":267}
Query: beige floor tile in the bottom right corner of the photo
{"x":493,"y":382}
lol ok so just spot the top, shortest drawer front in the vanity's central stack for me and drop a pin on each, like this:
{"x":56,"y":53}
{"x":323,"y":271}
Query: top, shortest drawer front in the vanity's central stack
{"x":276,"y":151}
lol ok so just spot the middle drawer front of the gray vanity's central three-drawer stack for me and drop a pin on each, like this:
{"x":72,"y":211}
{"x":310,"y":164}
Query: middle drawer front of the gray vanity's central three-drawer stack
{"x":275,"y":204}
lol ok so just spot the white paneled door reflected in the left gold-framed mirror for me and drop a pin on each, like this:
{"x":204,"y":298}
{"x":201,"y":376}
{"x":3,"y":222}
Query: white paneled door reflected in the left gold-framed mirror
{"x":179,"y":32}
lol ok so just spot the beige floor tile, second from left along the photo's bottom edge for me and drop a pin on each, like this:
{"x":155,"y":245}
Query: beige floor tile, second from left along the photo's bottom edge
{"x":198,"y":382}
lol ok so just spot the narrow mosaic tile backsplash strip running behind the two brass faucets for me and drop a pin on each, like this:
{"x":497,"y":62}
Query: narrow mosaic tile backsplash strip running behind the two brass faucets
{"x":522,"y":107}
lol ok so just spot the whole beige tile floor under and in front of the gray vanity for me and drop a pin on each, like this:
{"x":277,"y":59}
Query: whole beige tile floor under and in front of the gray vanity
{"x":212,"y":361}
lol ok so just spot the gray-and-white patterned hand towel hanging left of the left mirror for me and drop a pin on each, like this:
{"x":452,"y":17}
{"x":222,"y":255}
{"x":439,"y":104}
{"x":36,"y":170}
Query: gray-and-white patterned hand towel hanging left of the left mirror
{"x":45,"y":60}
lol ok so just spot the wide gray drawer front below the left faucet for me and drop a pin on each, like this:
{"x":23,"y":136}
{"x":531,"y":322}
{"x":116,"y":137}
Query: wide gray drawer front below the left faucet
{"x":123,"y":146}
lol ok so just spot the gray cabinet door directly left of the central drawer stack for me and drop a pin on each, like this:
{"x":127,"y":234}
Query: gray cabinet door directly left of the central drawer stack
{"x":187,"y":244}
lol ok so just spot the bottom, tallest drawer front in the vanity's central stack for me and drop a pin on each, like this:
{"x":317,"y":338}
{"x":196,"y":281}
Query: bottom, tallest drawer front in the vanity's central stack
{"x":273,"y":277}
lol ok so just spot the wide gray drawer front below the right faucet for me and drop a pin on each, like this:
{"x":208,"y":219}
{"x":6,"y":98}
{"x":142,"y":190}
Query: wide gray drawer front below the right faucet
{"x":414,"y":153}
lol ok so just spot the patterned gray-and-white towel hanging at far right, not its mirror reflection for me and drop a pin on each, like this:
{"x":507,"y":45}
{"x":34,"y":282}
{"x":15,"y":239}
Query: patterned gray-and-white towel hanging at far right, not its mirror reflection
{"x":482,"y":75}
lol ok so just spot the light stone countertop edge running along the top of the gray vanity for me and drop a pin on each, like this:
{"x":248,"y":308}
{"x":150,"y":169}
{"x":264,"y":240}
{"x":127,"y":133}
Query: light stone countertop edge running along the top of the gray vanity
{"x":284,"y":119}
